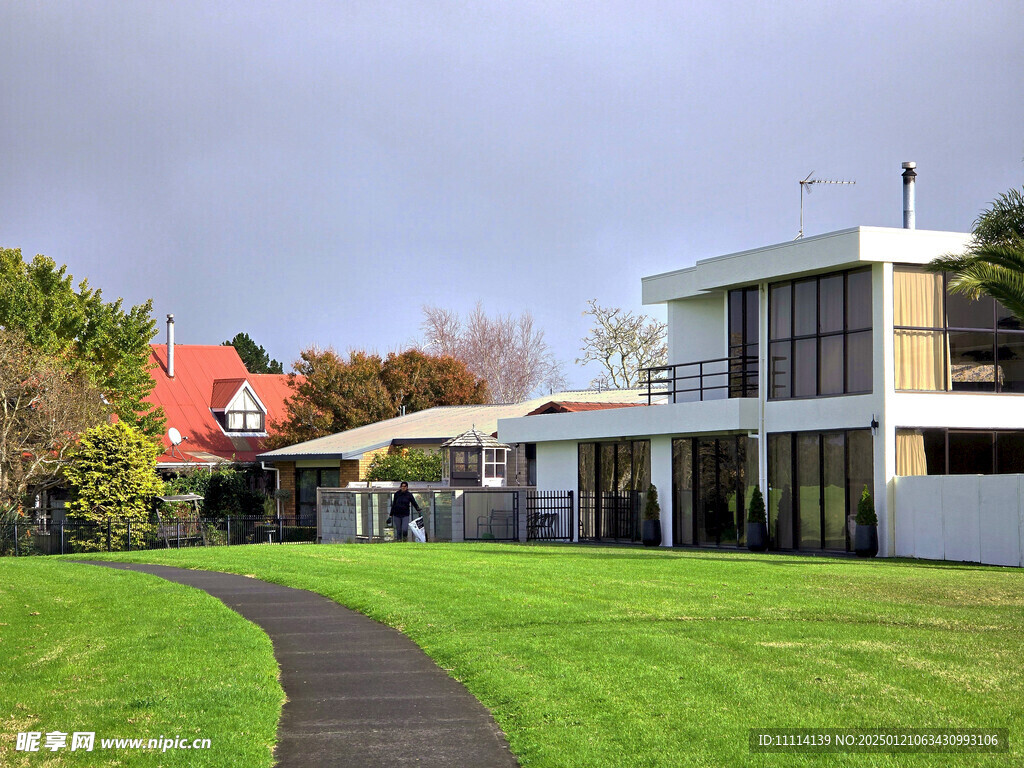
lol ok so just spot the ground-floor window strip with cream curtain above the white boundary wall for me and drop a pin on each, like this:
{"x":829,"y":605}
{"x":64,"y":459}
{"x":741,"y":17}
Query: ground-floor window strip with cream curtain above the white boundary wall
{"x":959,"y":452}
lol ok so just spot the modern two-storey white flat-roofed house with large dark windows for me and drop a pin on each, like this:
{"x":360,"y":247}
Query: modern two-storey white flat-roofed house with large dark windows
{"x":813,"y":369}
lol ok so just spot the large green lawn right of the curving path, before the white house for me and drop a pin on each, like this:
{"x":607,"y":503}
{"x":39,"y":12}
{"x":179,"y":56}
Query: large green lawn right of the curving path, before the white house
{"x":623,"y":657}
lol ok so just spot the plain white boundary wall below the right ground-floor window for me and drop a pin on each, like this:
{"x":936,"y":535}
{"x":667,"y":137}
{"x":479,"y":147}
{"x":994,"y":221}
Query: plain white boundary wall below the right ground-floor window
{"x":973,"y":519}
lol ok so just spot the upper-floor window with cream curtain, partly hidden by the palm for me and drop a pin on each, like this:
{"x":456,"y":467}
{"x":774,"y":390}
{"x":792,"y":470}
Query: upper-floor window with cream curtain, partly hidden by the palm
{"x":947,"y":343}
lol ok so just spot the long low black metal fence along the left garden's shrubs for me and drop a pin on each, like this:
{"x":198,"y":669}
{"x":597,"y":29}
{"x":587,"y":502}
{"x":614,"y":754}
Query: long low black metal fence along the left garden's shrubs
{"x":49,"y":537}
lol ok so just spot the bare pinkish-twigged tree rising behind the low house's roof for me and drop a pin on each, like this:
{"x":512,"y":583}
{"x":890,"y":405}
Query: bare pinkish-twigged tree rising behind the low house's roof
{"x":509,"y":354}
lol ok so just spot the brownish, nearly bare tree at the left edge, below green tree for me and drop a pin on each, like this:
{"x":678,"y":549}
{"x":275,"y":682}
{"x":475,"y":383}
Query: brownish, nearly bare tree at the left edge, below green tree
{"x":44,"y":409}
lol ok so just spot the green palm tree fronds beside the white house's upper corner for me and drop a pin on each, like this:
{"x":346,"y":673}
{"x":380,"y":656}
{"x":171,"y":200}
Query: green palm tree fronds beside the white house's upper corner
{"x":994,"y":264}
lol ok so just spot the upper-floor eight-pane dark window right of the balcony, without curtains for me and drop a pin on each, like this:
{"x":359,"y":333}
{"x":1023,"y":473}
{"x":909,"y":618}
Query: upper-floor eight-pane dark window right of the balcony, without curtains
{"x":821,"y":336}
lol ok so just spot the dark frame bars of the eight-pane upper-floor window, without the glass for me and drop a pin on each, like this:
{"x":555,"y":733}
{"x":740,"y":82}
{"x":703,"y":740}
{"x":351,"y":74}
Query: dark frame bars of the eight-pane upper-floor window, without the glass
{"x":818,"y":336}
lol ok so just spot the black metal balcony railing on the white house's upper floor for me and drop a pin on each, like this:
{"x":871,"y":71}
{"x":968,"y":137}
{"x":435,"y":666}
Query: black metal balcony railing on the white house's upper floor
{"x":716,"y":379}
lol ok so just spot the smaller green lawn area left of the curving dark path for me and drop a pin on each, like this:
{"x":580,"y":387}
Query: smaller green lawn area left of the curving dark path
{"x":124,"y":655}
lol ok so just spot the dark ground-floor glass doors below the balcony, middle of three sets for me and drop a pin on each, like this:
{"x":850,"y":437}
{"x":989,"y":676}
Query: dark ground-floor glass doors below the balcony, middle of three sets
{"x":713,"y":480}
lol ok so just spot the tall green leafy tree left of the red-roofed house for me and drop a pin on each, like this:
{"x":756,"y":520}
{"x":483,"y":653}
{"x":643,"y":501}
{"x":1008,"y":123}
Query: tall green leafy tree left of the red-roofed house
{"x":75,"y":325}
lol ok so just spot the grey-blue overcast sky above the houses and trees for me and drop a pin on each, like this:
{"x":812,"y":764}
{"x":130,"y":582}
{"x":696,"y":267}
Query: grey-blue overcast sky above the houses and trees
{"x":317,"y":173}
